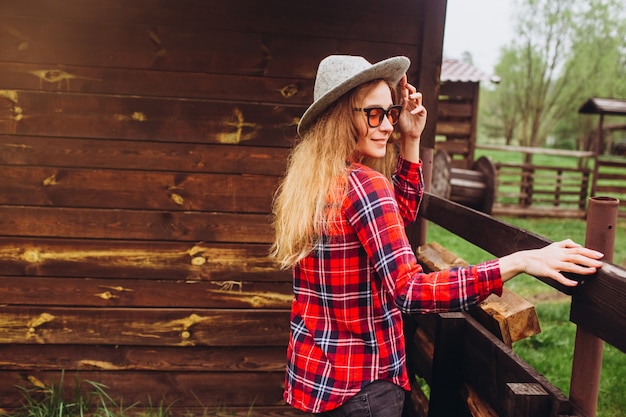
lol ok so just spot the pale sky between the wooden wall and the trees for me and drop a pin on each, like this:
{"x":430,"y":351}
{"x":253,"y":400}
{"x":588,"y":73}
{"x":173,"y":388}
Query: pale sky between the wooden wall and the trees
{"x":480,"y":27}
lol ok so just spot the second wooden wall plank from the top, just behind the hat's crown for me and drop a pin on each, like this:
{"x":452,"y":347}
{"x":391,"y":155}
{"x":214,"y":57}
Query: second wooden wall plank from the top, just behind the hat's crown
{"x":183,"y":48}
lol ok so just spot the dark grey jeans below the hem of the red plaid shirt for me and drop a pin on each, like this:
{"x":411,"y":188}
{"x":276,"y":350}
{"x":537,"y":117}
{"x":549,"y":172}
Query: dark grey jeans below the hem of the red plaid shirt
{"x":378,"y":399}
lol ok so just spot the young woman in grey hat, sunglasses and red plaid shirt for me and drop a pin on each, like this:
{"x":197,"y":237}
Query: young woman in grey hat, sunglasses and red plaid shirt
{"x":340,"y":226}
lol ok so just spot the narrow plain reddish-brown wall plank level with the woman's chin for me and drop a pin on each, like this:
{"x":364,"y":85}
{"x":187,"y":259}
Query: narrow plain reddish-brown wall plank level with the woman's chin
{"x":140,"y":155}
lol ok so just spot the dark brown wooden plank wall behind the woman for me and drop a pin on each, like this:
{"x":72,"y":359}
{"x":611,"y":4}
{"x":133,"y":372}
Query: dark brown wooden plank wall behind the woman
{"x":140,"y":144}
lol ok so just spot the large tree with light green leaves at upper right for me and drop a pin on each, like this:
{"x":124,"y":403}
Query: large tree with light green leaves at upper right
{"x":565,"y":51}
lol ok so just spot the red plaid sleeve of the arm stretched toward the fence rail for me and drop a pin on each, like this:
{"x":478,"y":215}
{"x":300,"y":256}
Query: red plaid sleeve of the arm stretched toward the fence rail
{"x":376,"y":218}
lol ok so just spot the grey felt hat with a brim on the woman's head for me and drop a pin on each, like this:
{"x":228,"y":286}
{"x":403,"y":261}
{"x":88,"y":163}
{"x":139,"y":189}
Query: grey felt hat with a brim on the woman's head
{"x":338,"y":74}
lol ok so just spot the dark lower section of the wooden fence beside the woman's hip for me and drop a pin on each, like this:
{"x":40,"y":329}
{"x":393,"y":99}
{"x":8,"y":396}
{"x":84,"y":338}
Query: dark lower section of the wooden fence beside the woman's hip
{"x":472,"y":373}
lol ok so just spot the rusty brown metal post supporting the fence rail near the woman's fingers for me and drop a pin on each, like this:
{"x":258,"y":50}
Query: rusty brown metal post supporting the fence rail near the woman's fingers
{"x":587,"y":362}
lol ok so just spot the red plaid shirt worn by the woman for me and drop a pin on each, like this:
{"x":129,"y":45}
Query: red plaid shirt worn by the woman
{"x":351,"y":290}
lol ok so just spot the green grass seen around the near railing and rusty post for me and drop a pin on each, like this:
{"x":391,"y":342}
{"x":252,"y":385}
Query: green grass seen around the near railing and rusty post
{"x":551,"y":351}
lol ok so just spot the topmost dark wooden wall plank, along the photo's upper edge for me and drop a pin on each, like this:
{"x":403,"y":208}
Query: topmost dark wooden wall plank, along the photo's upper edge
{"x":325,"y":17}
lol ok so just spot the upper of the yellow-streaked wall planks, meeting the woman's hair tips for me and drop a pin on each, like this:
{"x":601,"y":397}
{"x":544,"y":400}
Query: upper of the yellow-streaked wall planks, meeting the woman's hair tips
{"x":130,"y":260}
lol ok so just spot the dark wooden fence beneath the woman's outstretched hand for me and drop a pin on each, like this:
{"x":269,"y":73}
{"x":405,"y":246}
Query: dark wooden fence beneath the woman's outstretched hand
{"x":470,"y":371}
